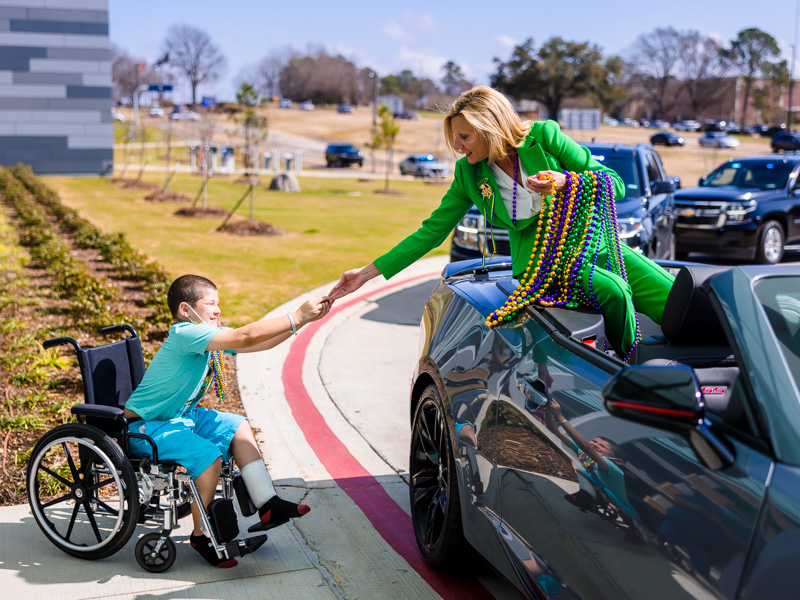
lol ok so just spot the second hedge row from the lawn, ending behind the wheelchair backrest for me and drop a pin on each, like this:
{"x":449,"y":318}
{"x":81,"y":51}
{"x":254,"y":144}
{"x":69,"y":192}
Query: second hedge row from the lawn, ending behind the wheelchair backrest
{"x":90,"y":299}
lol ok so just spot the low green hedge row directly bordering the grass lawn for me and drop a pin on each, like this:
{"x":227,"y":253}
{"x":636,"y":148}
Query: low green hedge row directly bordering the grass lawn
{"x":114,"y":249}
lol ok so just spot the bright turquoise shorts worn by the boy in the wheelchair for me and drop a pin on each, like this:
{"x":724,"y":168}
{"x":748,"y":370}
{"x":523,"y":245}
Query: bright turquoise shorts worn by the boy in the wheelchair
{"x":194,"y":440}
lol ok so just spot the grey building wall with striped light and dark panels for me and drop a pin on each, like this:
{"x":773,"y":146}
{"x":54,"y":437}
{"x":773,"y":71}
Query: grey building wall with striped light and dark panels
{"x":55,"y":86}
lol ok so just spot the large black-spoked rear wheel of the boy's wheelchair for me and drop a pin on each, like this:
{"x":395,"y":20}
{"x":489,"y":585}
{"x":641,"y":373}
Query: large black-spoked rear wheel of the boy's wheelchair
{"x":82,"y":491}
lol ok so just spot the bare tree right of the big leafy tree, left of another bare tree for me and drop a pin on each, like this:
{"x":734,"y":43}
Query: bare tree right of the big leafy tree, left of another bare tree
{"x":654,"y":58}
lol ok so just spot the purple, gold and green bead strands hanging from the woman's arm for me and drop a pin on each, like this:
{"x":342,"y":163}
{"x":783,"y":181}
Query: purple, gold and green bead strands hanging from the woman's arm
{"x":571,"y":225}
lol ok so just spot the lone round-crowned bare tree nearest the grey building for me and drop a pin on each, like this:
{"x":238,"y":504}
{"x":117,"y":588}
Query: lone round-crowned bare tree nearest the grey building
{"x":192,"y":52}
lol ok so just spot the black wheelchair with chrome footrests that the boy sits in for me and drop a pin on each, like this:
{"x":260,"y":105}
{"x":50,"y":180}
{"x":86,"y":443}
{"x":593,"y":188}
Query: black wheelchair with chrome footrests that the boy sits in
{"x":87,"y":494}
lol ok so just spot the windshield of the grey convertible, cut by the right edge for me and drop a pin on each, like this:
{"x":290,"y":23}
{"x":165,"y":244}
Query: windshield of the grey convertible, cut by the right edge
{"x":780,"y":298}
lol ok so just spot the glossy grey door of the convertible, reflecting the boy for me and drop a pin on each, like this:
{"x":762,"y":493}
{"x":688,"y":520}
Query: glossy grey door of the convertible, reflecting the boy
{"x":654,"y":523}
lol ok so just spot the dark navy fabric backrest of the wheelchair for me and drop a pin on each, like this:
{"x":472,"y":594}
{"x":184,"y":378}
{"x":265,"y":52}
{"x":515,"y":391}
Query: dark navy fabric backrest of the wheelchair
{"x":112,"y":371}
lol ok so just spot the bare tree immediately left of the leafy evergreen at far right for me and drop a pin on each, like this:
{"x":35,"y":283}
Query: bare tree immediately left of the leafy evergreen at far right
{"x":701,"y":68}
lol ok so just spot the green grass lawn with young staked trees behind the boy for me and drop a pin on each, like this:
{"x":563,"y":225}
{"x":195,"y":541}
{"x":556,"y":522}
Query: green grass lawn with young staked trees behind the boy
{"x":331,"y":226}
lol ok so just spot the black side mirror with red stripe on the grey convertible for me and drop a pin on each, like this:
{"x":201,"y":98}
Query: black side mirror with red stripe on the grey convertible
{"x":668,"y":398}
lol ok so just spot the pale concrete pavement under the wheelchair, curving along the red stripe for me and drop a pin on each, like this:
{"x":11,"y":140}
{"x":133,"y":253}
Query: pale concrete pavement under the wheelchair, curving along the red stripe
{"x":356,"y":369}
